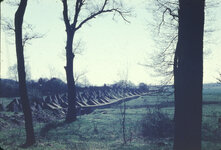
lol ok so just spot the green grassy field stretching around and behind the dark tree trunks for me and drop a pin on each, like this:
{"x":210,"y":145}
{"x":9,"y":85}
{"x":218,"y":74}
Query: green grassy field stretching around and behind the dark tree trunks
{"x":102,"y":129}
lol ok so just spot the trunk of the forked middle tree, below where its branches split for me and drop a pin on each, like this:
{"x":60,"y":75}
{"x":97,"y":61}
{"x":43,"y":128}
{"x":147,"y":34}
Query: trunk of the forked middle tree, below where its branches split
{"x":71,"y":114}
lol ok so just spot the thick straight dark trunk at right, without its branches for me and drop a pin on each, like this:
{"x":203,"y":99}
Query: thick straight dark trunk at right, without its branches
{"x":188,"y":75}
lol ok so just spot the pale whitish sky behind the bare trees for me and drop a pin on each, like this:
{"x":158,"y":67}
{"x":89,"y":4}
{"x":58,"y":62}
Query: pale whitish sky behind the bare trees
{"x":109,"y":47}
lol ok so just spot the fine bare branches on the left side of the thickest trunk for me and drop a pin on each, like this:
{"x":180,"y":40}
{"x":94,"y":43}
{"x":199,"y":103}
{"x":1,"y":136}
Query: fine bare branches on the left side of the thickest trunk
{"x":162,"y":60}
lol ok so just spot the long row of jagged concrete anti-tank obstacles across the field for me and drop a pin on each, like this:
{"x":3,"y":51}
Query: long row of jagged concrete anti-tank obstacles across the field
{"x":97,"y":97}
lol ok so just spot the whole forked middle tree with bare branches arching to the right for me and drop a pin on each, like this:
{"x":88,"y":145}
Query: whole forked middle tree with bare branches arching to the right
{"x":71,"y":28}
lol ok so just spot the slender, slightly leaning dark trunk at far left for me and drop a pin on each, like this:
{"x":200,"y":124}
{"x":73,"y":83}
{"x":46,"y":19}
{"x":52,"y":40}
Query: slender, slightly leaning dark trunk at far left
{"x":30,"y":139}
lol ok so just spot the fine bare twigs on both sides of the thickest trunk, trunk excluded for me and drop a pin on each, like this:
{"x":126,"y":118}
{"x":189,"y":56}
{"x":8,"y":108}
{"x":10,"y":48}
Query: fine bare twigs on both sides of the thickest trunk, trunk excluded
{"x":165,"y":25}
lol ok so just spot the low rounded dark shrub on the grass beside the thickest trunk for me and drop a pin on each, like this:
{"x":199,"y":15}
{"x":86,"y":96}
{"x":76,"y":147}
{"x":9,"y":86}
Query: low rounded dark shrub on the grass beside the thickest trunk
{"x":157,"y":125}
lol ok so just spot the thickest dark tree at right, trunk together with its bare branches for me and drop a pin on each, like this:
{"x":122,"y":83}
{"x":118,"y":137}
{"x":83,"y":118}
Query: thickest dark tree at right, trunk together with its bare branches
{"x":186,"y":63}
